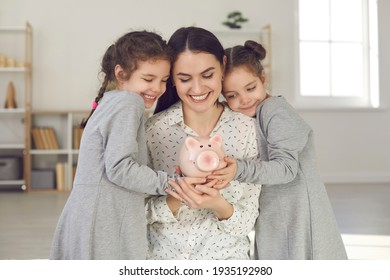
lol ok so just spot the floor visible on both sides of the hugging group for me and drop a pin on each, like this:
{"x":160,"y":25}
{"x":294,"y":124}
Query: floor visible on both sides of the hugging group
{"x":28,"y":220}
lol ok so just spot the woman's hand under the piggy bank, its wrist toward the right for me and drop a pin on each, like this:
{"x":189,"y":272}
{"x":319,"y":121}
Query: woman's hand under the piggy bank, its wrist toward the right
{"x":202,"y":196}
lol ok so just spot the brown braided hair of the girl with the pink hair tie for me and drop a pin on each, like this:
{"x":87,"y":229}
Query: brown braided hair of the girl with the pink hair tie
{"x":127,"y":51}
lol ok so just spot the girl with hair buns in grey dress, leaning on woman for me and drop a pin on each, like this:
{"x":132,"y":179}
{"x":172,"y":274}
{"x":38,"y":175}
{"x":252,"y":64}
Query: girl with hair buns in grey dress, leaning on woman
{"x":296,"y":219}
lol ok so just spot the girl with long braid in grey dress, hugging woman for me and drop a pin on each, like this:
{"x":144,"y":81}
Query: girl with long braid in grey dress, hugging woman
{"x":104,"y":217}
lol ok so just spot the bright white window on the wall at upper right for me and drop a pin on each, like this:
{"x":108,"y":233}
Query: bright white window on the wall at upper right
{"x":338,"y":58}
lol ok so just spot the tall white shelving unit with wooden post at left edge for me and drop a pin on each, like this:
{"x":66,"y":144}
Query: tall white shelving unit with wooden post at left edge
{"x":15,"y":68}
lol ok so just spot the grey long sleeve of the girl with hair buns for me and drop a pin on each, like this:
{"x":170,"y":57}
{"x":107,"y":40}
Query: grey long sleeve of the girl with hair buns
{"x":282,"y":134}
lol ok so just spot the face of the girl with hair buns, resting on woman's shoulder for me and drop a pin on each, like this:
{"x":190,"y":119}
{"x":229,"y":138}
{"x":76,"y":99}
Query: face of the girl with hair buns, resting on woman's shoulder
{"x":243,"y":90}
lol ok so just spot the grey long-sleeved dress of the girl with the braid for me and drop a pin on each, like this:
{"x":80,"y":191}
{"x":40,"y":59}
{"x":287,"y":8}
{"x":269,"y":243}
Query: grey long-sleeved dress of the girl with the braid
{"x":104,"y":217}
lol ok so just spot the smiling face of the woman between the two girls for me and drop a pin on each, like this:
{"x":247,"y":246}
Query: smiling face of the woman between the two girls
{"x":197,"y":77}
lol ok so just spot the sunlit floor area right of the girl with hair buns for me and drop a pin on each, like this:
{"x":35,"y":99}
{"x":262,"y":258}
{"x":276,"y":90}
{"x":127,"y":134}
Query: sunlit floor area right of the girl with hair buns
{"x":363,"y":215}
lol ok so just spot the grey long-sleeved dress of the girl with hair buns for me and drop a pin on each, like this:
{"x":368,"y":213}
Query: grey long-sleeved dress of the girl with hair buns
{"x":296,"y":219}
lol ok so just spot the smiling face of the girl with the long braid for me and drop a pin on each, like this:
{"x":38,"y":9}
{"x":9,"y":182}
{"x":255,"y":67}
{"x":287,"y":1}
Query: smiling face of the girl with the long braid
{"x":149,"y":80}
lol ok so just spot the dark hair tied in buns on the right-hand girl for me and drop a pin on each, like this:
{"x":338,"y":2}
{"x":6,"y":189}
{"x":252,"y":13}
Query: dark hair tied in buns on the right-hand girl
{"x":249,"y":55}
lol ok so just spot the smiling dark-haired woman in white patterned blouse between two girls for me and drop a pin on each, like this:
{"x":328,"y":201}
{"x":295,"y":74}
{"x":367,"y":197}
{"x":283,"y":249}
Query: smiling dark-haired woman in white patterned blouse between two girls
{"x":212,"y":224}
